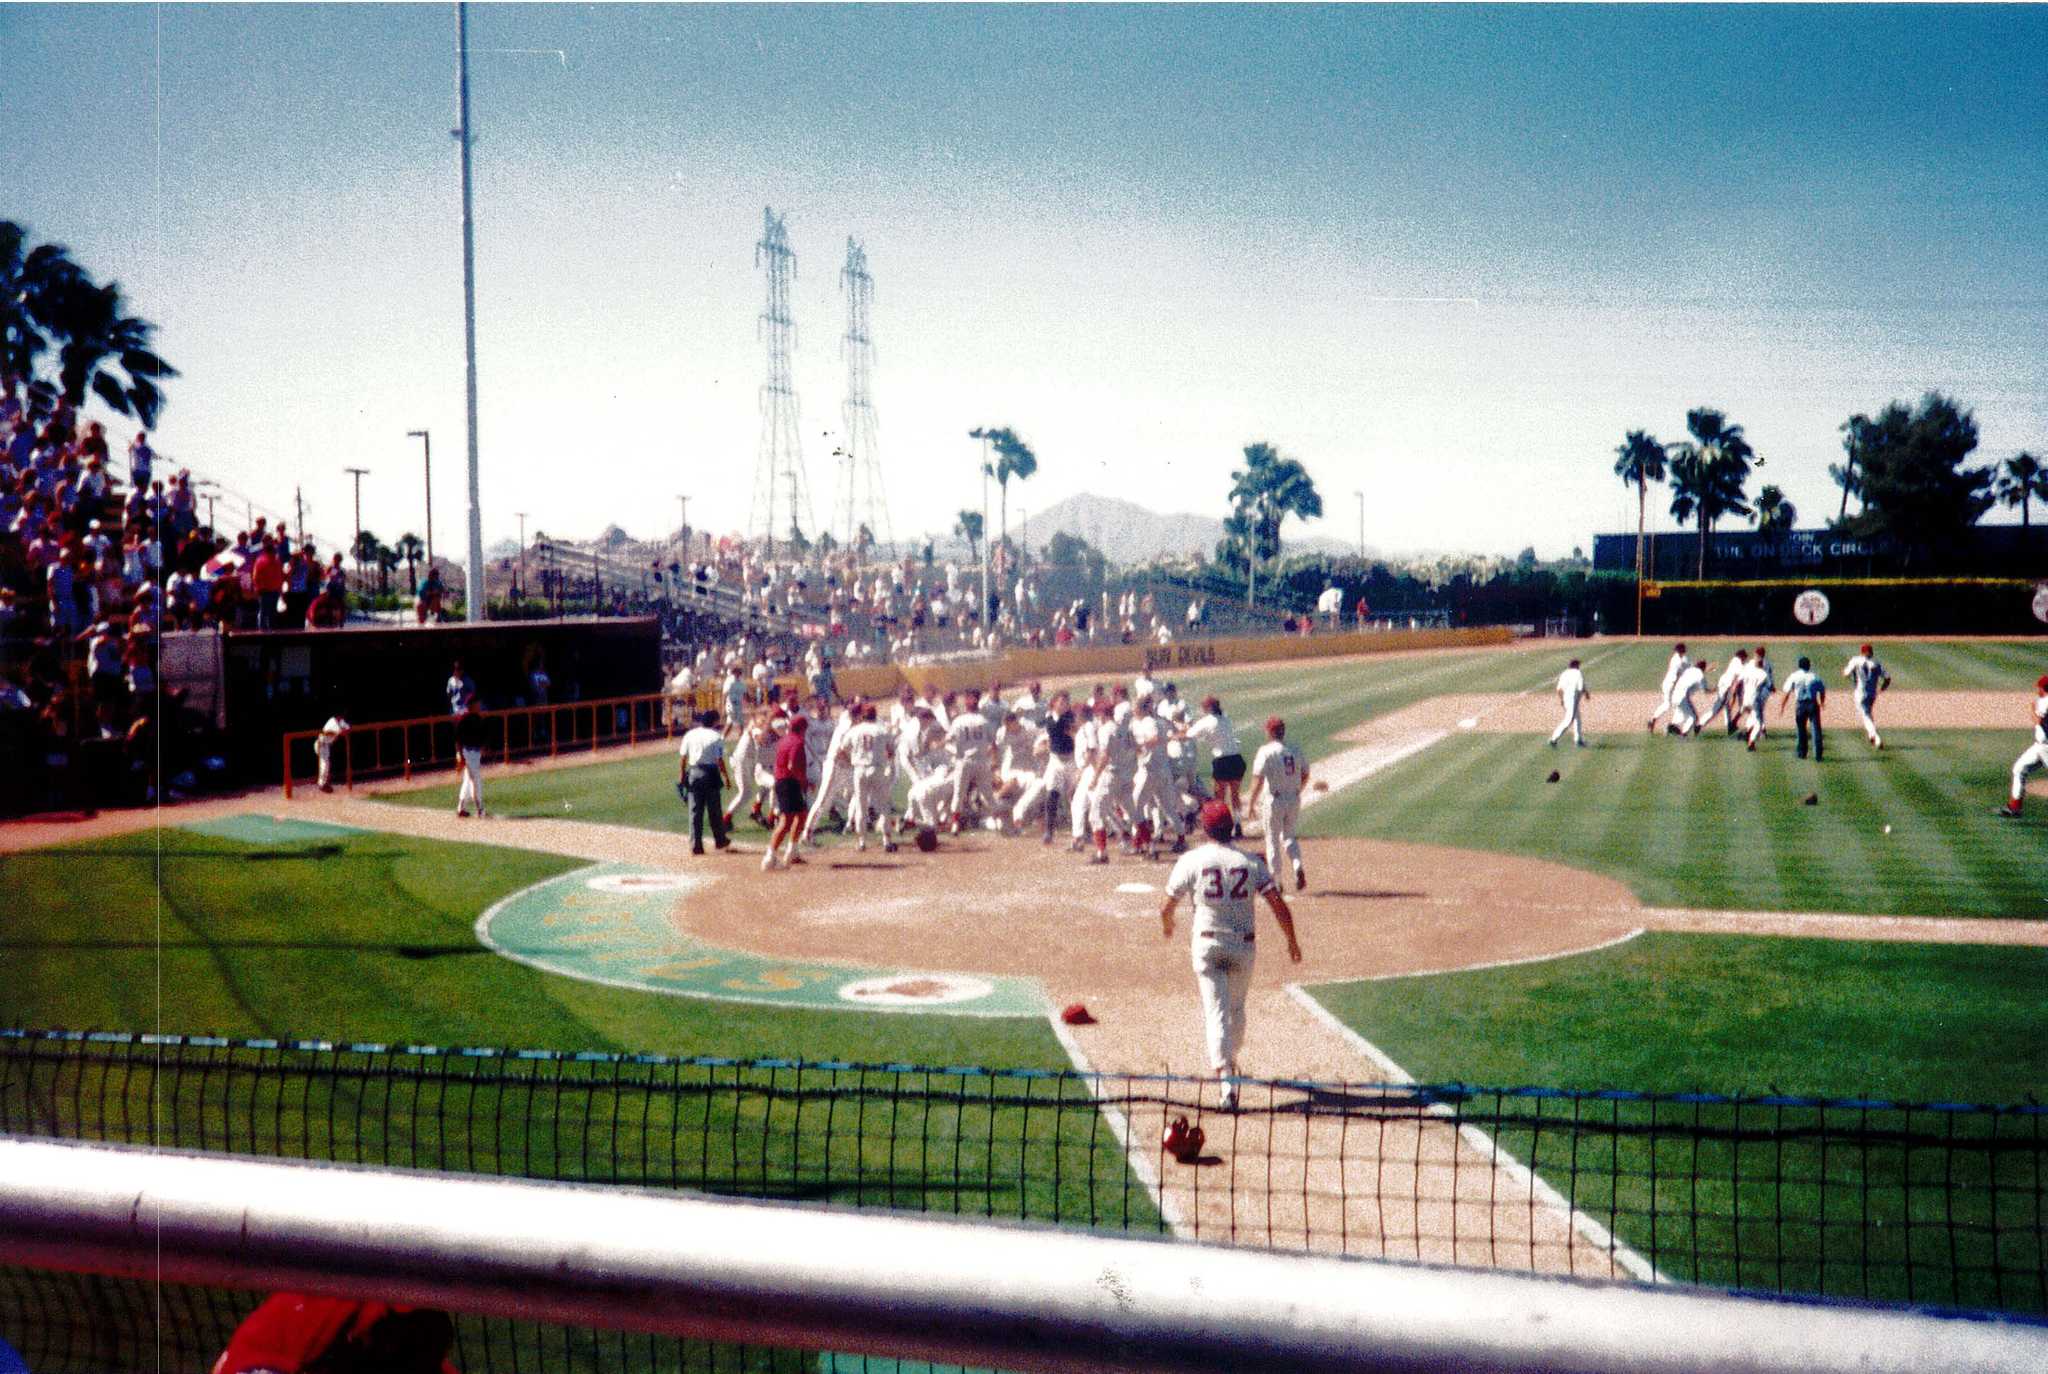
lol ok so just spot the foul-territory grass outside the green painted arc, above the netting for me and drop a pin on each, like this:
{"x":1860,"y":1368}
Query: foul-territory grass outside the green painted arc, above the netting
{"x":372,"y":937}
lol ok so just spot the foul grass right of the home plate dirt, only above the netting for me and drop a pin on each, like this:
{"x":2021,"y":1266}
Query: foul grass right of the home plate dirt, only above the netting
{"x":1732,"y":1015}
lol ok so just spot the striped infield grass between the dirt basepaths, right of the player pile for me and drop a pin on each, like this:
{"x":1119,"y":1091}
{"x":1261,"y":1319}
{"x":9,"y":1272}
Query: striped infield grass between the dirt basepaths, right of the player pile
{"x":1707,"y":824}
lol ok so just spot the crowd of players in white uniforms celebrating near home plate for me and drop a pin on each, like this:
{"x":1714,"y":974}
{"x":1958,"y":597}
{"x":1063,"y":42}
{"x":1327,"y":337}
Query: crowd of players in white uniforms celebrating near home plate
{"x":1115,"y":765}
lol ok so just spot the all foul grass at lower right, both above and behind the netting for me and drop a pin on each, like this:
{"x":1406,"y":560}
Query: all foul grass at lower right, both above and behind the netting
{"x":1906,"y":1205}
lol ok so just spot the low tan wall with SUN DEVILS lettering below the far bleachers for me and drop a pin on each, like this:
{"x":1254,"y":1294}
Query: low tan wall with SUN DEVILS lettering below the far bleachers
{"x":1129,"y":660}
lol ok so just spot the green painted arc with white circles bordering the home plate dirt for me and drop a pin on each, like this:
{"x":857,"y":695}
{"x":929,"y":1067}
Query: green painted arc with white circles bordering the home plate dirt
{"x":611,"y":925}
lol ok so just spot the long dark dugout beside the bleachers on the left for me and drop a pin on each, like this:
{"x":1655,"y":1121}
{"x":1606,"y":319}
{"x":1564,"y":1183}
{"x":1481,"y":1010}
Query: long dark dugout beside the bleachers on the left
{"x":269,"y":683}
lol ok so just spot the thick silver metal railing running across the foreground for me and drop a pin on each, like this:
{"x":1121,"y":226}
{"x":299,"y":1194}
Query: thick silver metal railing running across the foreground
{"x":892,"y":1287}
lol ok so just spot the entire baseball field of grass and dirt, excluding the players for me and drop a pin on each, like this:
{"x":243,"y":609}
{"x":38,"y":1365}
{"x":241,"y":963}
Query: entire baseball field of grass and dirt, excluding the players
{"x":1666,"y":922}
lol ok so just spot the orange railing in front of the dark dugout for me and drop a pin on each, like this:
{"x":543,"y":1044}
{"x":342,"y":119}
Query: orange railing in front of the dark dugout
{"x":427,"y":744}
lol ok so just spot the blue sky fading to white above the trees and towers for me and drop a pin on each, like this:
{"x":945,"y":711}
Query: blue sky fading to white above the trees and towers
{"x":1441,"y":255}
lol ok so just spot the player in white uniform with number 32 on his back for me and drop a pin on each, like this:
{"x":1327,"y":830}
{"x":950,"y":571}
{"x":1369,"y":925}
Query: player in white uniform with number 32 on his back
{"x":1224,"y":884}
